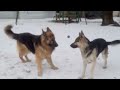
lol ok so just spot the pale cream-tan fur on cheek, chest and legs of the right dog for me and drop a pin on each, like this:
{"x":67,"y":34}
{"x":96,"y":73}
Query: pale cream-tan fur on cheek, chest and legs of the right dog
{"x":82,"y":44}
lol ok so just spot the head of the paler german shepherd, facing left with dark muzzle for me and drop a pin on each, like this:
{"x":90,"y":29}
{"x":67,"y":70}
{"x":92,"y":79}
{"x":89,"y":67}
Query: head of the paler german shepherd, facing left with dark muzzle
{"x":80,"y":42}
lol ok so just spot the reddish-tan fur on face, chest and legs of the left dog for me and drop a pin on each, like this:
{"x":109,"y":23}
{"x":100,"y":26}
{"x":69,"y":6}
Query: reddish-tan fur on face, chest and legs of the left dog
{"x":41,"y":52}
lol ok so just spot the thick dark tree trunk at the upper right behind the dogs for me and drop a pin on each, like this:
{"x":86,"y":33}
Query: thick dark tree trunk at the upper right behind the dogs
{"x":107,"y":18}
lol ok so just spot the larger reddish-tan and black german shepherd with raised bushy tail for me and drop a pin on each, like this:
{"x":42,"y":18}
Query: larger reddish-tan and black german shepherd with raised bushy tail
{"x":41,"y":45}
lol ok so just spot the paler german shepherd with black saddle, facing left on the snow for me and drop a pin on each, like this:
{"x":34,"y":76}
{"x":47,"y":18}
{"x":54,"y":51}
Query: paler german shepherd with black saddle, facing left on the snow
{"x":90,"y":50}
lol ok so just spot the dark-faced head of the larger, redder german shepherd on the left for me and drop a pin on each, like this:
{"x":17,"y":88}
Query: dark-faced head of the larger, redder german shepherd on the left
{"x":49,"y":38}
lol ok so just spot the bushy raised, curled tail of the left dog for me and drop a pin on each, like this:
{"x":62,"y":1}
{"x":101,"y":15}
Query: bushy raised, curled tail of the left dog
{"x":9,"y":32}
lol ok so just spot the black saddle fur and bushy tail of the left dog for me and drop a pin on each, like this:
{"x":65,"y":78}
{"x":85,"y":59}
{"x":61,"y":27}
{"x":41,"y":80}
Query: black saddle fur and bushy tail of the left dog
{"x":29,"y":40}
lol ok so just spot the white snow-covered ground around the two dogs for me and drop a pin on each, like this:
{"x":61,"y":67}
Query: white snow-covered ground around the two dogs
{"x":67,"y":59}
